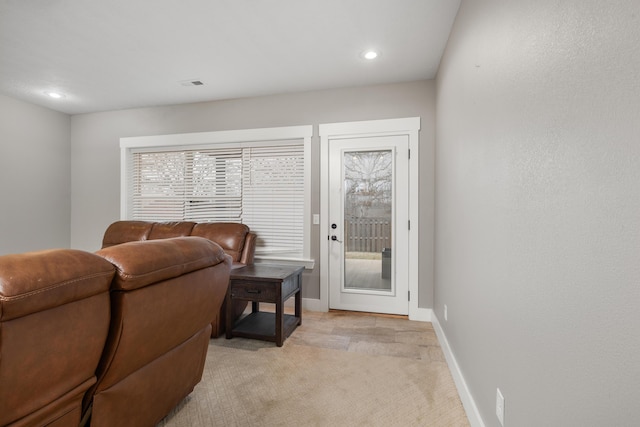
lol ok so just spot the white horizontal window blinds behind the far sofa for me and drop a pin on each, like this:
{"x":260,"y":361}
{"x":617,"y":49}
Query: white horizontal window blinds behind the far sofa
{"x":261,"y":185}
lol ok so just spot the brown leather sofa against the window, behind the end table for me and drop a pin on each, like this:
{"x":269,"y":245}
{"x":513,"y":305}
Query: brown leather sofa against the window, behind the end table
{"x":236,"y":239}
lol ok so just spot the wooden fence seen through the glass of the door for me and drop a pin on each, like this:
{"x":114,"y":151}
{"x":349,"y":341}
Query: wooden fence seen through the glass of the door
{"x":367,"y":234}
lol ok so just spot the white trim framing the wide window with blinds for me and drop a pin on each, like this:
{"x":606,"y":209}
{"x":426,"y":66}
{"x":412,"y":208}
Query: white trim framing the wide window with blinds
{"x":236,"y":138}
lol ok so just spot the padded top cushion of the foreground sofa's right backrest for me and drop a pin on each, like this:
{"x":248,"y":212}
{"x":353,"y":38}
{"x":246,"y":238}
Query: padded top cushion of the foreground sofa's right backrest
{"x":139,"y":264}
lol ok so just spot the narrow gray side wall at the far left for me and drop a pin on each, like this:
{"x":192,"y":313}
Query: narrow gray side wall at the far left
{"x":35,"y":178}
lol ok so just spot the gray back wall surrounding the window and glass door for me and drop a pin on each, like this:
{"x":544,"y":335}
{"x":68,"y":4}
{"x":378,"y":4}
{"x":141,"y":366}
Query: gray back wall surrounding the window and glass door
{"x":96,"y":152}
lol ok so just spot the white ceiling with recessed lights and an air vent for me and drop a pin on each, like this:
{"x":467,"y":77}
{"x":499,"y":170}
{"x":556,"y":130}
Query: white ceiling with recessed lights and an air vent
{"x":116,"y":54}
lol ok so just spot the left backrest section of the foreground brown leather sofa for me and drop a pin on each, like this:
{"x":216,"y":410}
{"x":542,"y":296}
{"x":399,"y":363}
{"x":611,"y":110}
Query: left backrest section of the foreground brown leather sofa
{"x":54,"y":320}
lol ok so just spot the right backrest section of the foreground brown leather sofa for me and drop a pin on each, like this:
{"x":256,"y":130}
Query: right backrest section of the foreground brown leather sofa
{"x":164,"y":296}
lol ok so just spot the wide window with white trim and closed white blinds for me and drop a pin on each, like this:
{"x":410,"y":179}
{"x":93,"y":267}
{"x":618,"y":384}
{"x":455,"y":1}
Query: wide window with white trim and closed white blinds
{"x":258,"y":177}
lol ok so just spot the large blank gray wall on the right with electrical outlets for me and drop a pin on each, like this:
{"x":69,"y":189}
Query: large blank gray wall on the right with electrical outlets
{"x":537,"y":207}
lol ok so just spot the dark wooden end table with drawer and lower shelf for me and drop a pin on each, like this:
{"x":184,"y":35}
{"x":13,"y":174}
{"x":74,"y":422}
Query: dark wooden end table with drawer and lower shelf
{"x":265,"y":283}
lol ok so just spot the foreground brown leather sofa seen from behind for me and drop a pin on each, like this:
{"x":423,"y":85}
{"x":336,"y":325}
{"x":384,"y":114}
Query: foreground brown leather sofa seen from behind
{"x":120,"y":335}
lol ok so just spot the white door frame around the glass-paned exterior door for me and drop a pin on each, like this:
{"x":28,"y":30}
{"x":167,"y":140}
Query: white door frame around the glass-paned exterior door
{"x":405,"y":126}
